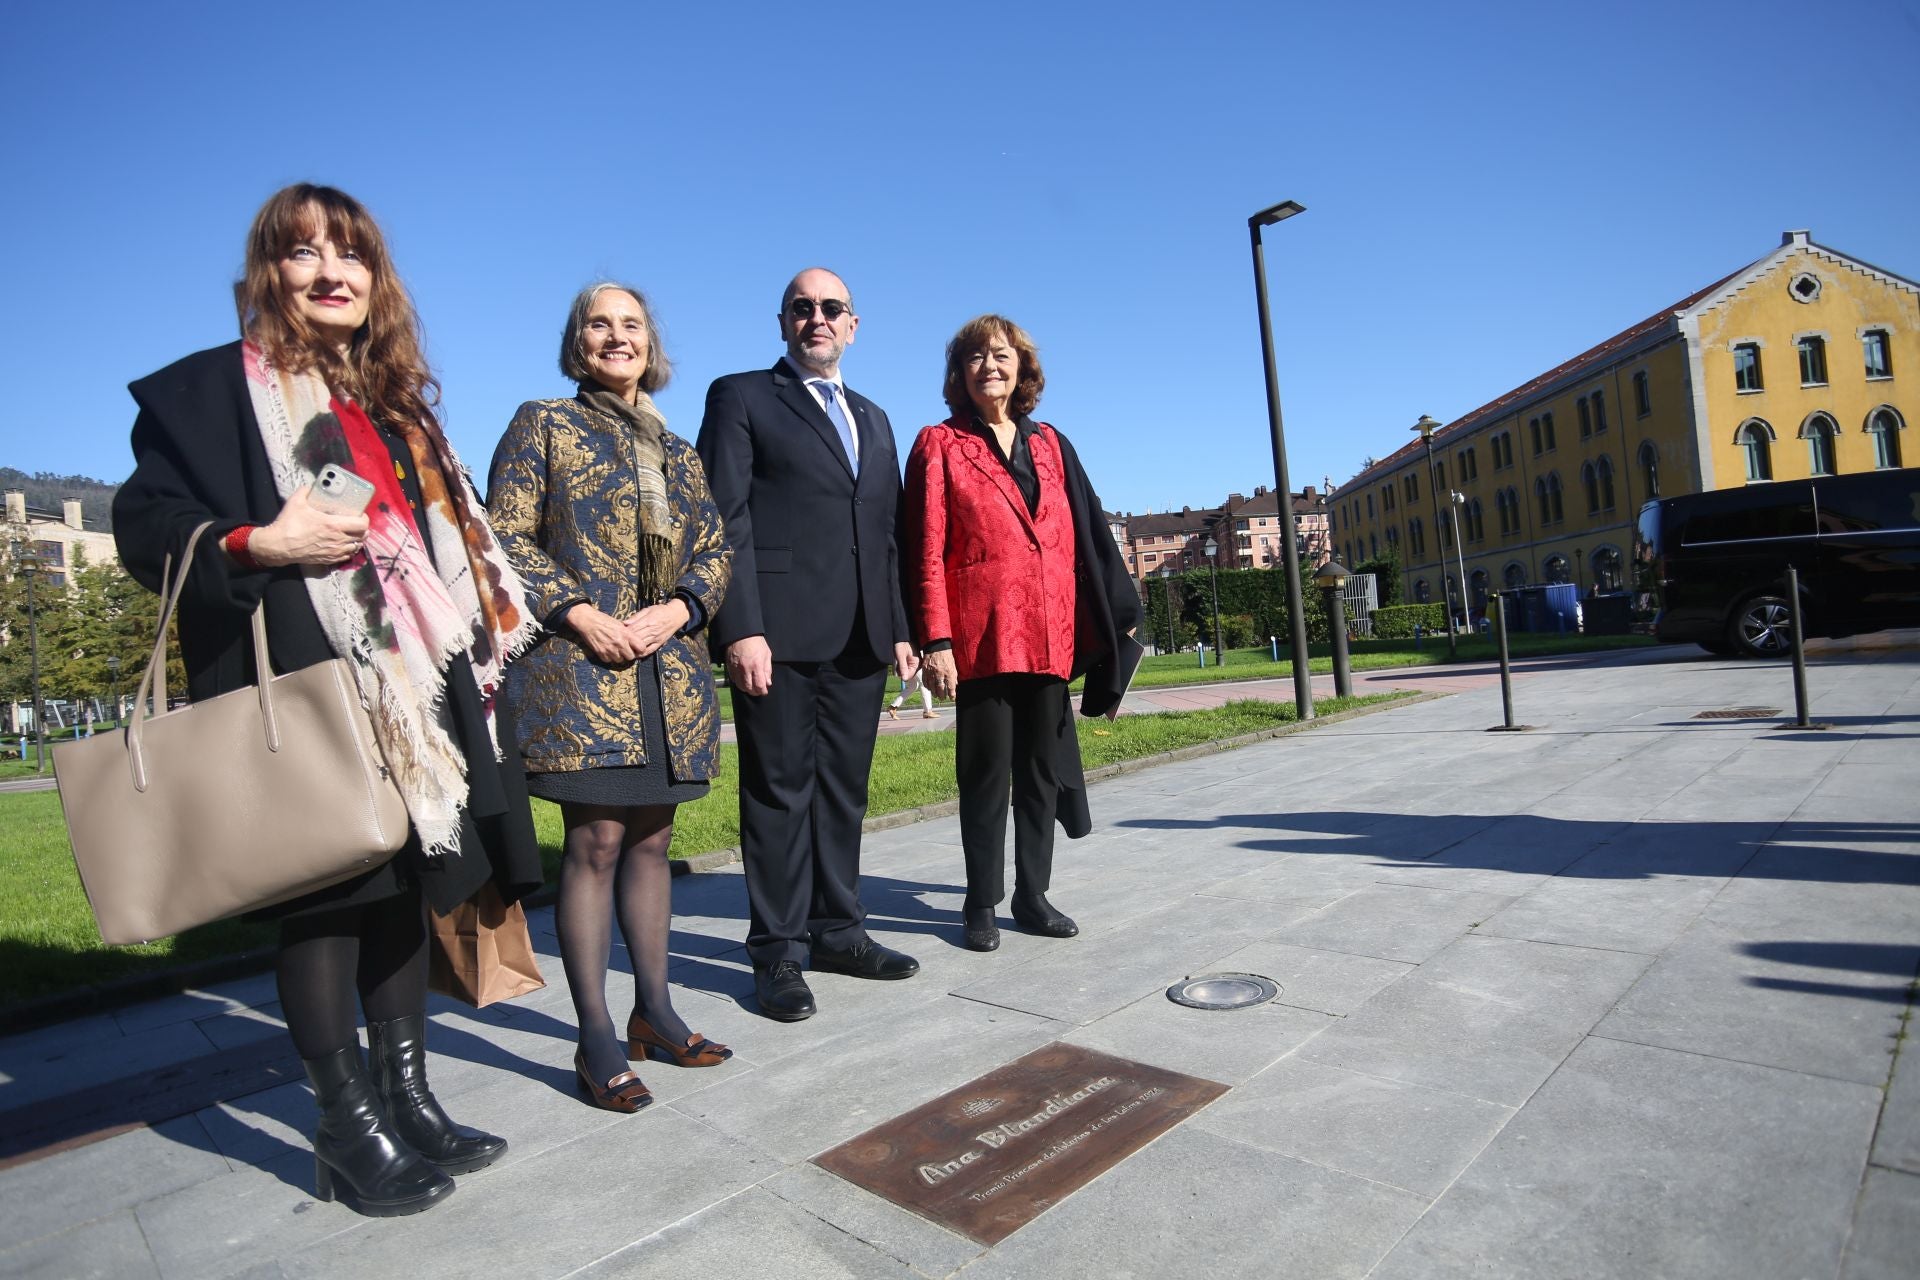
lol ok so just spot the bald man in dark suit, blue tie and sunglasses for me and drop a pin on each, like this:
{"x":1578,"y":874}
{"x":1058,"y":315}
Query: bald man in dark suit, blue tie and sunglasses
{"x":807,"y":481}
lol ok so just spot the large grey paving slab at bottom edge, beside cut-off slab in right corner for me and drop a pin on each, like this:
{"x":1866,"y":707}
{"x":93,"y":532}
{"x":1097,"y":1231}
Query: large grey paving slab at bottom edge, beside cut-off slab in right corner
{"x":1637,"y":1162}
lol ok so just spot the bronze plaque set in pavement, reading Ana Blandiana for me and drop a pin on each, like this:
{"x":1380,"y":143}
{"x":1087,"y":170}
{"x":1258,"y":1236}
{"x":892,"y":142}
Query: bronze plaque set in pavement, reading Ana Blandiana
{"x":992,"y":1156}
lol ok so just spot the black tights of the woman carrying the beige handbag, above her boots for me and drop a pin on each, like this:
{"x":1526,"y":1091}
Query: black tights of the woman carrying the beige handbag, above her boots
{"x":368,"y":957}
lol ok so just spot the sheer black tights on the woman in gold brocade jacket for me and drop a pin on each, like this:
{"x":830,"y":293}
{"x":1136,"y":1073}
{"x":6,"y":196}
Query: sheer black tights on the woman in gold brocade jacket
{"x":615,"y":865}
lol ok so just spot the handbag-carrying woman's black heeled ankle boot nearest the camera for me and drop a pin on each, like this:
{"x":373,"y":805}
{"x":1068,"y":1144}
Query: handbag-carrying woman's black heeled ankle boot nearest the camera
{"x":358,"y":1152}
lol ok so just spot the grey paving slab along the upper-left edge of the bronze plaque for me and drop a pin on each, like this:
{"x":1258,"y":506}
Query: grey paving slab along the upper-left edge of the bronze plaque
{"x":842,"y":1087}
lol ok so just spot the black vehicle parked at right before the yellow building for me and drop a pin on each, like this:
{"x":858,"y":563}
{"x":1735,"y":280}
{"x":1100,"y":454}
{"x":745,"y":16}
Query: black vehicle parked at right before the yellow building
{"x":1714,"y":567}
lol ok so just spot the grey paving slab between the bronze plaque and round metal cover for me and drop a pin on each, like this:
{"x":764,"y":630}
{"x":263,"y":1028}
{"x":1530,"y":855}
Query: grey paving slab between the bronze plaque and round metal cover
{"x":1228,"y":1047}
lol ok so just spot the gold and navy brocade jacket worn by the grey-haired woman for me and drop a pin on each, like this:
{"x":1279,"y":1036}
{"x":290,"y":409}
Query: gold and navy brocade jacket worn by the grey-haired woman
{"x":564,"y":504}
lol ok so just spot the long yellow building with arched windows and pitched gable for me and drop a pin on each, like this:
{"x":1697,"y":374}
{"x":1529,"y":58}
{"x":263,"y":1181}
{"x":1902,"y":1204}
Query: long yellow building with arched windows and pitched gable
{"x":1802,"y":364}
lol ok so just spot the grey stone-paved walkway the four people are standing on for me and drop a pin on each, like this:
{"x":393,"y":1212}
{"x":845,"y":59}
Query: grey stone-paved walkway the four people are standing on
{"x":1614,"y":999}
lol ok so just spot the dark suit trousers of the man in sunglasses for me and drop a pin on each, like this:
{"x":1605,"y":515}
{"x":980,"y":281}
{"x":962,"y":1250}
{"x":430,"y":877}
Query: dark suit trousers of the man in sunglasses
{"x":805,"y":753}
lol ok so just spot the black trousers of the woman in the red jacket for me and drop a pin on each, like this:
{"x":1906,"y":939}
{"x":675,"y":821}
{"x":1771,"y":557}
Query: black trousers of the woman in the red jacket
{"x":1007,"y":726}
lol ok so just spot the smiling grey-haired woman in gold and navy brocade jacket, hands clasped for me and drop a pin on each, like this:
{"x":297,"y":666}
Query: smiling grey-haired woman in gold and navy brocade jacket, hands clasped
{"x":608,"y":519}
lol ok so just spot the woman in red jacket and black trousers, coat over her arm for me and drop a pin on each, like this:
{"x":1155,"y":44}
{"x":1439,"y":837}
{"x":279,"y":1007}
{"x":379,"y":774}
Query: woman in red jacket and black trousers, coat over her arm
{"x":1015,"y":588}
